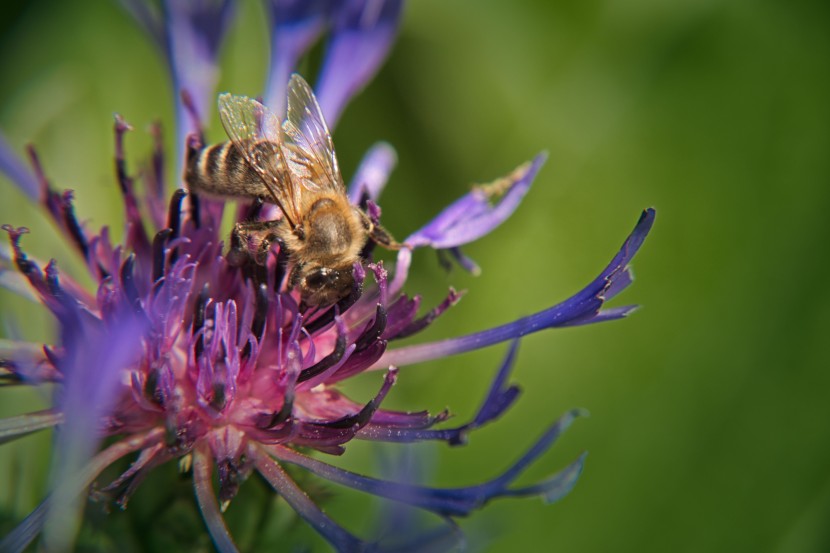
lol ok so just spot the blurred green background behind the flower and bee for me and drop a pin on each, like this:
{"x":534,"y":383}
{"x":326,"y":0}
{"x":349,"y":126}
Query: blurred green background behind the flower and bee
{"x":710,"y":407}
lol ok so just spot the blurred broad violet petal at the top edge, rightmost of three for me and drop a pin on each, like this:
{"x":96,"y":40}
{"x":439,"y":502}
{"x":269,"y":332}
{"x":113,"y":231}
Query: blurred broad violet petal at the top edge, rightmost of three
{"x":362,"y":36}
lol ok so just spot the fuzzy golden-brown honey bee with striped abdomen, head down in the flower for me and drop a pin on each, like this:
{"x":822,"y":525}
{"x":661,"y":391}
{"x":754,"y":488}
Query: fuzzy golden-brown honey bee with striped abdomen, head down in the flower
{"x":292,"y":165}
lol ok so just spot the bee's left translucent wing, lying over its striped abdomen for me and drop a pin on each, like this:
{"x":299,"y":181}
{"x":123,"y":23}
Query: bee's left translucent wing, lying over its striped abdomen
{"x":256,"y":133}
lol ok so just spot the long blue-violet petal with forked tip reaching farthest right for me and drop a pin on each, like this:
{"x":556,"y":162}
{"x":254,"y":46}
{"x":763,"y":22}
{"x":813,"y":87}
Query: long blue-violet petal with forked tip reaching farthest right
{"x":582,"y":308}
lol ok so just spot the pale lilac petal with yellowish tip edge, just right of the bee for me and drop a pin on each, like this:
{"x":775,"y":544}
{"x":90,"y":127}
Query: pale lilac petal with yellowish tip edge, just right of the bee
{"x":474,"y":215}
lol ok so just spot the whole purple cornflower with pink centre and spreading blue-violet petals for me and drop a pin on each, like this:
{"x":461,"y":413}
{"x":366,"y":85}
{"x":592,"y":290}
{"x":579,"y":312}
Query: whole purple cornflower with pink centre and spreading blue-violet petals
{"x":177,"y":355}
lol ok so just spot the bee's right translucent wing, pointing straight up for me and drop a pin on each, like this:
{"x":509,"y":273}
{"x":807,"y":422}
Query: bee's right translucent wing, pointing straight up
{"x":307,"y":144}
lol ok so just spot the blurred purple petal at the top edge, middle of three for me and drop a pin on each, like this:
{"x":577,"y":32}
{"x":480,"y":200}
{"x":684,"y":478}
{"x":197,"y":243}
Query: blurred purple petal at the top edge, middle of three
{"x":296,"y":25}
